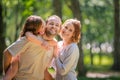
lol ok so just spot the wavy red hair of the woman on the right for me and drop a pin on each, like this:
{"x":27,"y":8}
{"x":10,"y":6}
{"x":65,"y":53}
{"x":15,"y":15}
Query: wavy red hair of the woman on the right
{"x":77,"y":26}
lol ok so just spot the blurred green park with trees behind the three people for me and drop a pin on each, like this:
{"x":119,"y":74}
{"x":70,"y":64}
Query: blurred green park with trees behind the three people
{"x":100,"y":43}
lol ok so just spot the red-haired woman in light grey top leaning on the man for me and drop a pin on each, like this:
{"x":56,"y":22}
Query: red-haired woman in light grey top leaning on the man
{"x":67,"y":55}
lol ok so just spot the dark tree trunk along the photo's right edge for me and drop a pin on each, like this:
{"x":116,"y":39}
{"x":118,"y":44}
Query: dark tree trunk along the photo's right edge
{"x":116,"y":53}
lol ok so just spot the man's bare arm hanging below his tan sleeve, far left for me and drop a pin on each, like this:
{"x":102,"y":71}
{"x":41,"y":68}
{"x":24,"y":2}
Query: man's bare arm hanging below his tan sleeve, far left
{"x":7,"y":57}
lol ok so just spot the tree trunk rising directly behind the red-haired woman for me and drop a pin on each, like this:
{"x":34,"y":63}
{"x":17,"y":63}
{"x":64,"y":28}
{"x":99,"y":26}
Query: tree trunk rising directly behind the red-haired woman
{"x":75,"y":7}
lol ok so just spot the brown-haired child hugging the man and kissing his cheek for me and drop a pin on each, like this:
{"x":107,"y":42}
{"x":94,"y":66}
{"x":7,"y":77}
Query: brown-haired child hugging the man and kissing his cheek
{"x":33,"y":24}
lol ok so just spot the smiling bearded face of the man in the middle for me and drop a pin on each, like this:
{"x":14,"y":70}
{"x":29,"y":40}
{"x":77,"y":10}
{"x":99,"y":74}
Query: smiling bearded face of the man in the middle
{"x":53,"y":26}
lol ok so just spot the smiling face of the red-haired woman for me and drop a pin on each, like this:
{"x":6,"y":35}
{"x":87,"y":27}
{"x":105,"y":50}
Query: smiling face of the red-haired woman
{"x":67,"y":31}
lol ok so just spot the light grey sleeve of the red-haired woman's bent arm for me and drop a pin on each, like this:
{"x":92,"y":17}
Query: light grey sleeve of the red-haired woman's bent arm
{"x":63,"y":67}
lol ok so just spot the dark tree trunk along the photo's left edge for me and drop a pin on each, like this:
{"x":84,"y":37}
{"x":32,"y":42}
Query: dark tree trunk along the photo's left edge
{"x":2,"y":36}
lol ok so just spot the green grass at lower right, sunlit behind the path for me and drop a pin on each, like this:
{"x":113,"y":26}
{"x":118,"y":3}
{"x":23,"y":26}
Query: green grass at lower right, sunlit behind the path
{"x":99,"y":66}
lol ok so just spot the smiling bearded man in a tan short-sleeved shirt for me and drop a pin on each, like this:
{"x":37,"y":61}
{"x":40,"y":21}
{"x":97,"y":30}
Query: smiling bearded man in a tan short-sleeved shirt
{"x":34,"y":60}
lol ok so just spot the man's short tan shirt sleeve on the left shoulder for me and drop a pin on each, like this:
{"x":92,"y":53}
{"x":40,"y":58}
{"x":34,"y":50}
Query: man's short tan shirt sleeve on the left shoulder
{"x":18,"y":46}
